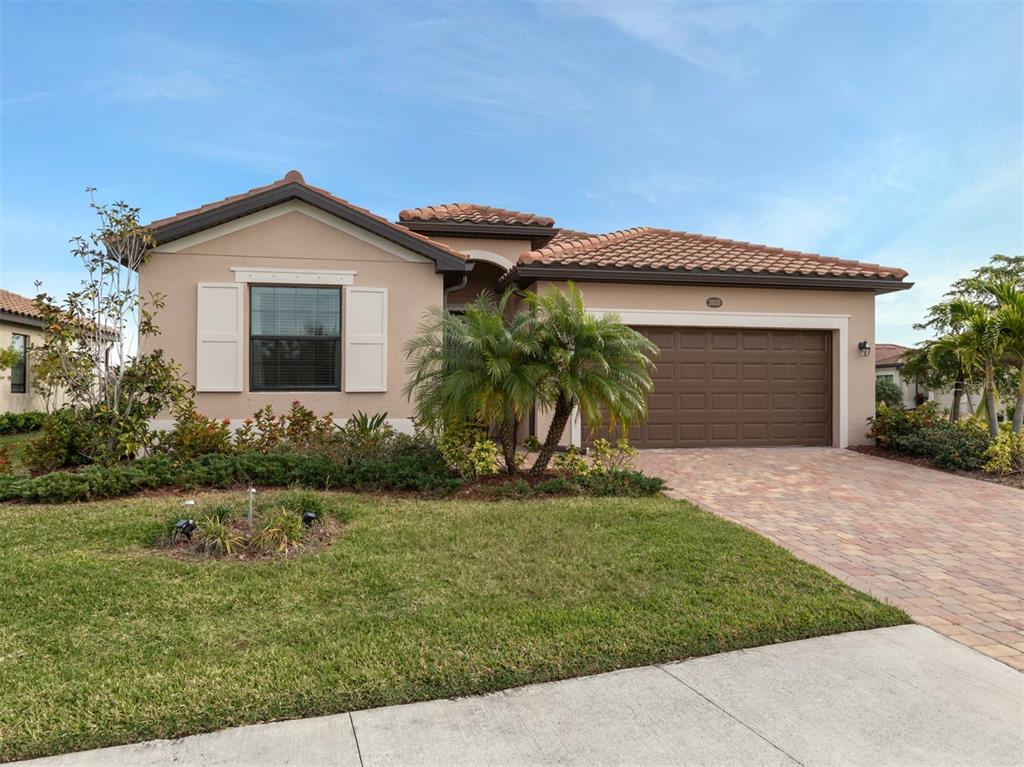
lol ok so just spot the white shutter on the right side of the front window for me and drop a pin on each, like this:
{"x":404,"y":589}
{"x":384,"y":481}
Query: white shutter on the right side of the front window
{"x":366,"y":339}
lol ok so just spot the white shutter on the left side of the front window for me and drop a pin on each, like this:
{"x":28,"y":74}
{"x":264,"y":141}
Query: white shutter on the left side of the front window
{"x":219,"y":337}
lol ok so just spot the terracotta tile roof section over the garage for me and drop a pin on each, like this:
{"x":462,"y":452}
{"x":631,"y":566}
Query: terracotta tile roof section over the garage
{"x":647,"y":248}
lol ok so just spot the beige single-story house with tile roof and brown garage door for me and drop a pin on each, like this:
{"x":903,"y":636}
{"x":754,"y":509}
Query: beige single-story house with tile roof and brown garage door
{"x":287,"y":292}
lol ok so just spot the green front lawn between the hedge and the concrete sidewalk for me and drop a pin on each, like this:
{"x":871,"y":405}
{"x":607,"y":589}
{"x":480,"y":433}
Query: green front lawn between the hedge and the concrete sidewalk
{"x":104,"y":642}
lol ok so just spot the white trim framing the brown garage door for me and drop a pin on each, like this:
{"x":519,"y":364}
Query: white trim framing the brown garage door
{"x":838,"y":323}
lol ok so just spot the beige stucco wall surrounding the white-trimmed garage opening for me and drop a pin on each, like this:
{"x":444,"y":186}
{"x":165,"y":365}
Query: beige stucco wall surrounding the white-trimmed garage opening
{"x":859,"y":307}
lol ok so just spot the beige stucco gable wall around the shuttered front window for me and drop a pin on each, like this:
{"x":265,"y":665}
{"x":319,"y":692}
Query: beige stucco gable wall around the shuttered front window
{"x":293,"y":241}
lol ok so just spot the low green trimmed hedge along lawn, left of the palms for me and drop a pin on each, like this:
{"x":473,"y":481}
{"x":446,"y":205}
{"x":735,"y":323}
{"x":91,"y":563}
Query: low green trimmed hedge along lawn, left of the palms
{"x":421,"y":473}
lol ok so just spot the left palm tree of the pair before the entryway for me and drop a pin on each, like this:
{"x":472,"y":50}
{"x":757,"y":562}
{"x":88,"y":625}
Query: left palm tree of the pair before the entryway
{"x":480,"y":368}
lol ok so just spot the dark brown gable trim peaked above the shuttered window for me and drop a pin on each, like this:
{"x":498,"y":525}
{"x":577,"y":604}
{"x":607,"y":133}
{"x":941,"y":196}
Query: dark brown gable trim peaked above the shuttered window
{"x":230,"y":211}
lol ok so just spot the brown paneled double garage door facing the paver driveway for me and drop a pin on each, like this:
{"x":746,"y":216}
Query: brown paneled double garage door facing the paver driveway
{"x":739,"y":388}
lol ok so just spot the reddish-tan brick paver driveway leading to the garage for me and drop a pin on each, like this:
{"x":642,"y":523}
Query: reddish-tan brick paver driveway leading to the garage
{"x":946,"y":548}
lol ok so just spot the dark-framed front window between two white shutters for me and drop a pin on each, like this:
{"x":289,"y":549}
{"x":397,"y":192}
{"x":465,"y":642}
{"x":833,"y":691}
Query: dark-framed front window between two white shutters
{"x":294,"y":338}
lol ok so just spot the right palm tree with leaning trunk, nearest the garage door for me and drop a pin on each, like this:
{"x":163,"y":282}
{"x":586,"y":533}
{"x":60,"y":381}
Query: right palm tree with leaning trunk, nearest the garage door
{"x":596,"y":365}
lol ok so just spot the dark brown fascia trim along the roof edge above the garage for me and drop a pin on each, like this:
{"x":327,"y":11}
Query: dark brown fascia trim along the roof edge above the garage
{"x":526,"y":276}
